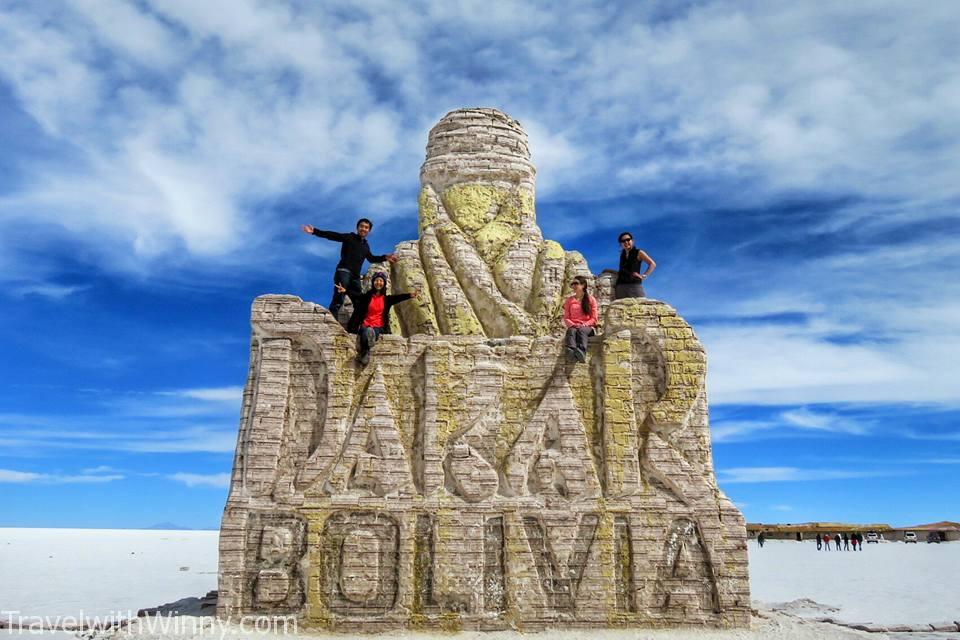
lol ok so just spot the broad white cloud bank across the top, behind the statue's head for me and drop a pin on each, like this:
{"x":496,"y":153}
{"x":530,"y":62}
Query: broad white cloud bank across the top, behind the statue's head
{"x":189,"y":114}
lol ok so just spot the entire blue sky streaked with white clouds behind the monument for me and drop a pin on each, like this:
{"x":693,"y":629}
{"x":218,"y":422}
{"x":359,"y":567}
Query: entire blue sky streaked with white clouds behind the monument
{"x":792,"y":167}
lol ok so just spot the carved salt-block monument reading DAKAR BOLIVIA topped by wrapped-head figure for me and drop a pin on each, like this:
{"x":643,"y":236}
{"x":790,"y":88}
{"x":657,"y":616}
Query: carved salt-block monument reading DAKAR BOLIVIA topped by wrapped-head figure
{"x":469,"y":476}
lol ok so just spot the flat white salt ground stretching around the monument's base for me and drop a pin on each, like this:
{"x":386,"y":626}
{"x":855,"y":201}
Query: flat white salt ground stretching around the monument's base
{"x":66,"y":572}
